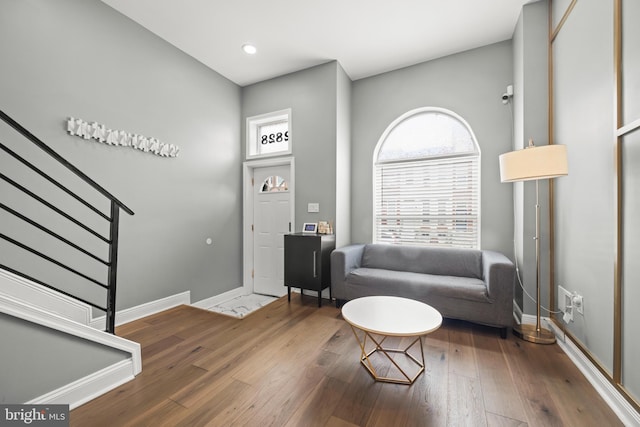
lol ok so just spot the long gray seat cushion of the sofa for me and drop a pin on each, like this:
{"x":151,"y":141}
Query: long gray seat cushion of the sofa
{"x":417,"y":285}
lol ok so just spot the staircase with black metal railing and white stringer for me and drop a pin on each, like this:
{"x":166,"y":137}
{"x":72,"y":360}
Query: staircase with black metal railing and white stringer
{"x":58,"y":267}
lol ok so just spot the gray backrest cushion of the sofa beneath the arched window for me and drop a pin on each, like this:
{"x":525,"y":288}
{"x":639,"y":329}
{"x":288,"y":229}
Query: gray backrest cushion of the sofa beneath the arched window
{"x":436,"y":261}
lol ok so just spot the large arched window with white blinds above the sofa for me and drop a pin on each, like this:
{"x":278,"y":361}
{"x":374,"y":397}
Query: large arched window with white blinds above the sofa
{"x":427,"y":181}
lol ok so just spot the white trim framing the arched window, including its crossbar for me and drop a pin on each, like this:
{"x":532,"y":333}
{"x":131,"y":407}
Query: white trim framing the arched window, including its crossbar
{"x":382,"y":139}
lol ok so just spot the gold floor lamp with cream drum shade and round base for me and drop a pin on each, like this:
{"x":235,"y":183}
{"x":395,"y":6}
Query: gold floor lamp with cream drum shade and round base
{"x":534,"y":163}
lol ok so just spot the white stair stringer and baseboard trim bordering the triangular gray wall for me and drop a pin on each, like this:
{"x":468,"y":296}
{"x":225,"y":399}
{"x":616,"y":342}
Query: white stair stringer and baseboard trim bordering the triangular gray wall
{"x":93,"y":385}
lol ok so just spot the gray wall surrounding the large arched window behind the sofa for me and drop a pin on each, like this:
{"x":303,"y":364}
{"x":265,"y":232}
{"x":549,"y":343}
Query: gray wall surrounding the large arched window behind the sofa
{"x":470,"y":84}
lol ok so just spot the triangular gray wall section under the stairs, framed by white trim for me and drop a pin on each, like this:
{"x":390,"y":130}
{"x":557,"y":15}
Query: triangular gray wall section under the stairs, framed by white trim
{"x":26,"y":375}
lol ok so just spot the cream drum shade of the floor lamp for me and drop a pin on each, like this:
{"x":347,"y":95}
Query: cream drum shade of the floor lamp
{"x":537,"y":162}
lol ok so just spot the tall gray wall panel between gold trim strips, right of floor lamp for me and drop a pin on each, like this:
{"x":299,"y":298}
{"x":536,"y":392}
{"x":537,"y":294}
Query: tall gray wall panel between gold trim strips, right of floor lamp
{"x":583,"y":119}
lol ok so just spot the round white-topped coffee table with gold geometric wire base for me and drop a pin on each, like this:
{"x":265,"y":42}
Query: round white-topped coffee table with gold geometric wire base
{"x":387,"y":316}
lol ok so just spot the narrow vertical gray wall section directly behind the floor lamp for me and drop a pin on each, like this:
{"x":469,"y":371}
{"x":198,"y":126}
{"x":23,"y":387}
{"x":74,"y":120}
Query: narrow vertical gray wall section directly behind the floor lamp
{"x":530,"y":108}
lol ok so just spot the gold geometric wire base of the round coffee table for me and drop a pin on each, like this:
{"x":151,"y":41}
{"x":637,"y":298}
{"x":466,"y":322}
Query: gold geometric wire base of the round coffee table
{"x":364,"y":357}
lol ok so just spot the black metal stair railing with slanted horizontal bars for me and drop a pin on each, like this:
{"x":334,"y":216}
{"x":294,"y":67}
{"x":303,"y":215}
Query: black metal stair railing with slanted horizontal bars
{"x":112,"y":218}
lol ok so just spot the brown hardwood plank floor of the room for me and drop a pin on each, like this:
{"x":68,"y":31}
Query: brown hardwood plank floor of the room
{"x":293,"y":364}
